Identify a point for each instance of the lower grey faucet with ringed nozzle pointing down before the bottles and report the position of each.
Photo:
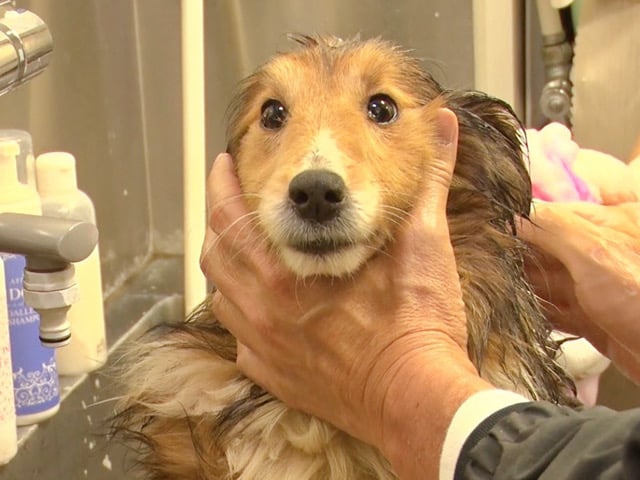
(50, 245)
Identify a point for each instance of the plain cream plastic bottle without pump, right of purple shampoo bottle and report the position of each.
(60, 196)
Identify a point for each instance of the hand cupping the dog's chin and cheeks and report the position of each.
(381, 354)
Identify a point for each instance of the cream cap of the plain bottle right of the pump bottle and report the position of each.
(56, 173)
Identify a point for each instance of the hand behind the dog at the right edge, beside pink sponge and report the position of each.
(587, 267)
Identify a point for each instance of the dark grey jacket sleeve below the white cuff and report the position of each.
(539, 440)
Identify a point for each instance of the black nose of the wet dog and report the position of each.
(317, 195)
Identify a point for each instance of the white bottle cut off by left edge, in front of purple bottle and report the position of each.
(8, 432)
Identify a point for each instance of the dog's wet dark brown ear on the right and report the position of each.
(491, 152)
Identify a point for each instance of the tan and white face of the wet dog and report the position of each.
(330, 144)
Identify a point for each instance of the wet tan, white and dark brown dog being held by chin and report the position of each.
(331, 142)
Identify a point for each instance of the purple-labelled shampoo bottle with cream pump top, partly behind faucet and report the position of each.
(35, 379)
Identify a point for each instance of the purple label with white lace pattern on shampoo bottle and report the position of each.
(35, 377)
